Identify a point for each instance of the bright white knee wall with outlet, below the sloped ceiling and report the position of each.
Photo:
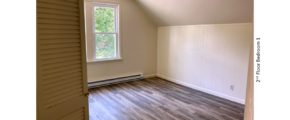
(209, 58)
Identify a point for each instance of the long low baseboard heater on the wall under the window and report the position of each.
(115, 80)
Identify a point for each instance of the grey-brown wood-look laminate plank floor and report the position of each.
(158, 99)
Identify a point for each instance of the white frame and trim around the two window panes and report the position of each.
(91, 34)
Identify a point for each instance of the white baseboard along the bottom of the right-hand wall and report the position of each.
(234, 99)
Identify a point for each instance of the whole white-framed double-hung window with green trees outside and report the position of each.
(103, 39)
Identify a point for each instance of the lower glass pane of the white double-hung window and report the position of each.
(105, 46)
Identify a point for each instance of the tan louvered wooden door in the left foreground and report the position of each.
(61, 61)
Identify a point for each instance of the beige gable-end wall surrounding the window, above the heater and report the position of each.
(138, 45)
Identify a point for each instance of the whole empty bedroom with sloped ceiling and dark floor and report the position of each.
(144, 59)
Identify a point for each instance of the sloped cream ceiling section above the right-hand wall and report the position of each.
(191, 12)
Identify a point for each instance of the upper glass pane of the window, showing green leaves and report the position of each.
(104, 19)
